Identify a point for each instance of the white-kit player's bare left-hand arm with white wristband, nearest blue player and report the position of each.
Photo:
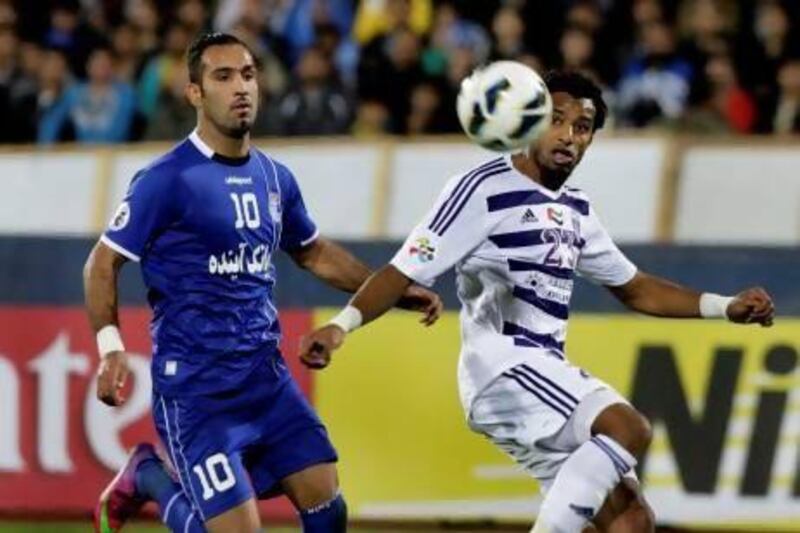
(382, 291)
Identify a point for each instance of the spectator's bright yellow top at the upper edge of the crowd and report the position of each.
(375, 18)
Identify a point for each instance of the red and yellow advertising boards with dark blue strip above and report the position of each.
(724, 399)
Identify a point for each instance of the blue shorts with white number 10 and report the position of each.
(233, 446)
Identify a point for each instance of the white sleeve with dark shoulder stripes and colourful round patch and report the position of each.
(455, 225)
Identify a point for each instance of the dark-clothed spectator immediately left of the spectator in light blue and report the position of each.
(52, 79)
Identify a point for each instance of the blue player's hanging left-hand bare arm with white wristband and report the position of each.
(100, 276)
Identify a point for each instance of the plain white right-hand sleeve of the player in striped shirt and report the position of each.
(600, 260)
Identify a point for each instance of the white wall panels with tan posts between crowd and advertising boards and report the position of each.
(646, 188)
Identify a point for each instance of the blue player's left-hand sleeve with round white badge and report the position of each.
(144, 212)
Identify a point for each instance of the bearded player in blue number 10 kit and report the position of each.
(205, 221)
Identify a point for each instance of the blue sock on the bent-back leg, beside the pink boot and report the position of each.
(176, 510)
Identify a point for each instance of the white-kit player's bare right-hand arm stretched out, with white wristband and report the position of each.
(656, 296)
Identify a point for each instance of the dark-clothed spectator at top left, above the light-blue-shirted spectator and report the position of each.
(68, 33)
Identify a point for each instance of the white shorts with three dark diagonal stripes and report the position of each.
(541, 411)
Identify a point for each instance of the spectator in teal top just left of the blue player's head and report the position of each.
(159, 72)
